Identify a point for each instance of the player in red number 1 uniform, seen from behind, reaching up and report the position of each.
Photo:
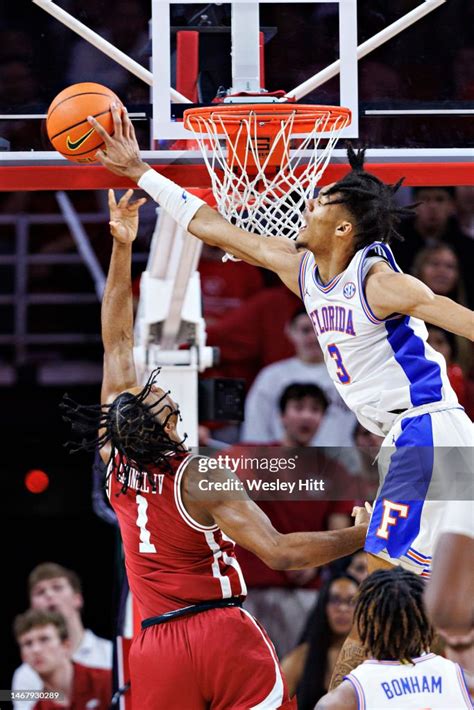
(198, 648)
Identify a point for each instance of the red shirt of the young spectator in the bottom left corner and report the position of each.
(91, 688)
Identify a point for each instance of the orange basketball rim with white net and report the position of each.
(265, 159)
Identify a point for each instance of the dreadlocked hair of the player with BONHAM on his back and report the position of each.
(390, 616)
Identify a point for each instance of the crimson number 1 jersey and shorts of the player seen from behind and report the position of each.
(184, 660)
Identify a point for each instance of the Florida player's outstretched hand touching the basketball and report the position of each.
(121, 154)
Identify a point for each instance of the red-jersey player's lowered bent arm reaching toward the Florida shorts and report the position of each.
(247, 525)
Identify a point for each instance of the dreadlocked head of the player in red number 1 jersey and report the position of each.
(138, 440)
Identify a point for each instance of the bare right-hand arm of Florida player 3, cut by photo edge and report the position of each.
(390, 292)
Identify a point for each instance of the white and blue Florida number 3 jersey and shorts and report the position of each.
(397, 386)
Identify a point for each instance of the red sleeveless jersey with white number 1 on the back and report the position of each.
(172, 561)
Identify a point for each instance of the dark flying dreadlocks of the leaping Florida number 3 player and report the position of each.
(370, 201)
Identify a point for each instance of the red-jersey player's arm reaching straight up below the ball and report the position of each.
(117, 302)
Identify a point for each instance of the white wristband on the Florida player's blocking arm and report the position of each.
(181, 205)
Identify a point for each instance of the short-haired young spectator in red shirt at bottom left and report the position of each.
(44, 645)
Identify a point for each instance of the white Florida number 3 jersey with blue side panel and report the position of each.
(379, 367)
